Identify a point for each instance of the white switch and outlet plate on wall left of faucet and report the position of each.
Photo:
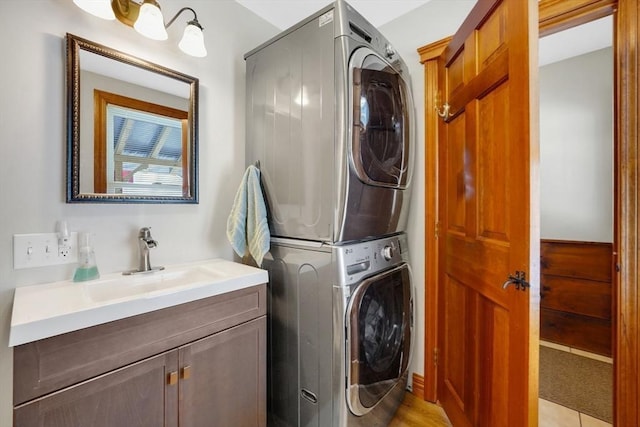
(41, 250)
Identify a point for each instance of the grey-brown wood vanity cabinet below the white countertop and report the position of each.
(204, 376)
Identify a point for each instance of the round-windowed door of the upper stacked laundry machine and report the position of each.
(381, 112)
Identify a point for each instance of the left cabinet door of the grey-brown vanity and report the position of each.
(134, 396)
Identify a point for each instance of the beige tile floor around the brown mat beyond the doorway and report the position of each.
(553, 415)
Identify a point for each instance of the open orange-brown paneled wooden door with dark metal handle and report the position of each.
(488, 151)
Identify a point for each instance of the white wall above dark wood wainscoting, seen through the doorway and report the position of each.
(576, 148)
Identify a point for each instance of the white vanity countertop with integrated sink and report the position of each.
(42, 311)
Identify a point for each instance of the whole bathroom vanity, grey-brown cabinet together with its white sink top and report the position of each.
(192, 354)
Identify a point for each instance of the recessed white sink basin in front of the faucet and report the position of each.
(148, 285)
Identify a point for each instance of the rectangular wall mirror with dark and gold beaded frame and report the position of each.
(132, 128)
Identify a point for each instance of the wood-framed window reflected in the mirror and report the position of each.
(140, 148)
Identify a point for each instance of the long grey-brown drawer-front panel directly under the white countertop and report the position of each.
(50, 364)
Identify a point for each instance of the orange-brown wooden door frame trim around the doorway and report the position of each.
(554, 16)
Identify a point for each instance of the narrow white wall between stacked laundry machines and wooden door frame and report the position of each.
(429, 23)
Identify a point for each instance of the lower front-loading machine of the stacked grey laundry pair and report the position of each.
(340, 332)
